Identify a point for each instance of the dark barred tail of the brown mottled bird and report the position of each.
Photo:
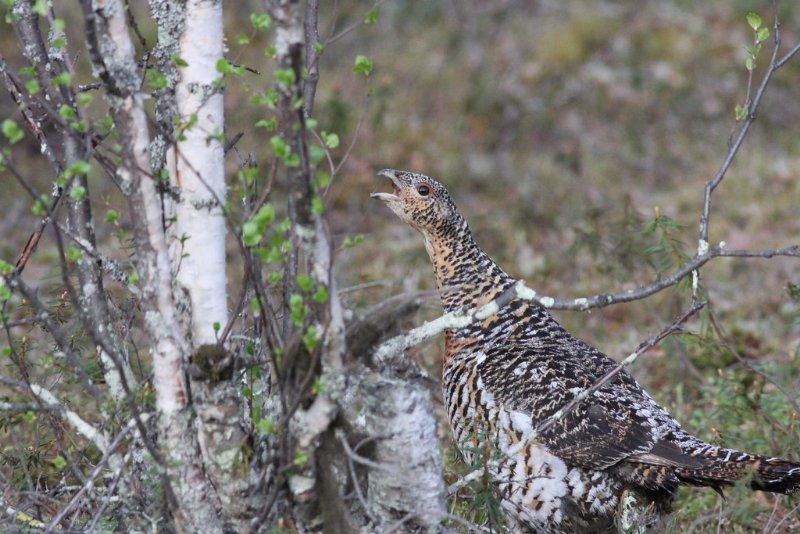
(724, 467)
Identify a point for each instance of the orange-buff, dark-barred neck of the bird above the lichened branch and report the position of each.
(466, 276)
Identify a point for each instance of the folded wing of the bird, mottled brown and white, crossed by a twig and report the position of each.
(537, 379)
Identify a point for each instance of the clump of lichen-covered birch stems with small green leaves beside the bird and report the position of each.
(240, 414)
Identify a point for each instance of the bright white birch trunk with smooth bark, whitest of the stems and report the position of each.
(197, 169)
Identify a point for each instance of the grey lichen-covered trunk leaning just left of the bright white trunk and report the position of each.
(113, 58)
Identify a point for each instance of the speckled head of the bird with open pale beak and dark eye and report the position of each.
(421, 202)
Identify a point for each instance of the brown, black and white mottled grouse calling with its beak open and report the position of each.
(504, 376)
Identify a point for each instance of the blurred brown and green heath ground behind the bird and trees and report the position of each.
(576, 137)
